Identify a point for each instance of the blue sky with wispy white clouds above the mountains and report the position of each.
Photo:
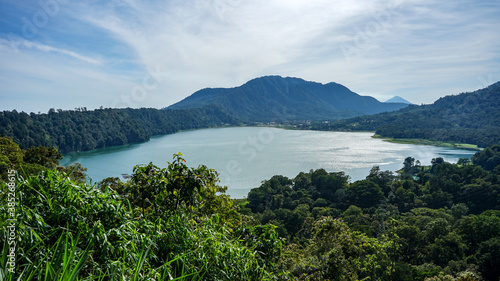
(126, 53)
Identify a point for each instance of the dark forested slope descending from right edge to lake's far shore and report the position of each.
(472, 118)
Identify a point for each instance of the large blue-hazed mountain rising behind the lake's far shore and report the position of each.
(274, 98)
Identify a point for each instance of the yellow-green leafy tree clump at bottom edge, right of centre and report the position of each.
(337, 253)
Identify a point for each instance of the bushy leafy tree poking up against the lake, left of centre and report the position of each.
(159, 192)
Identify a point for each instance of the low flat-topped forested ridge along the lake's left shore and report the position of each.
(83, 130)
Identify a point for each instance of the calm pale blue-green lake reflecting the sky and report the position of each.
(245, 156)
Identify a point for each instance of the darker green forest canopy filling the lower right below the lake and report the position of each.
(427, 220)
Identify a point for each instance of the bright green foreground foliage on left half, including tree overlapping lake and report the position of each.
(66, 230)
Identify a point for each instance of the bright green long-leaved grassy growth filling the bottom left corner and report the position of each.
(74, 231)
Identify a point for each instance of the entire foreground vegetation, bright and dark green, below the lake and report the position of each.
(437, 222)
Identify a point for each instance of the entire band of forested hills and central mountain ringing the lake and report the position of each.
(472, 118)
